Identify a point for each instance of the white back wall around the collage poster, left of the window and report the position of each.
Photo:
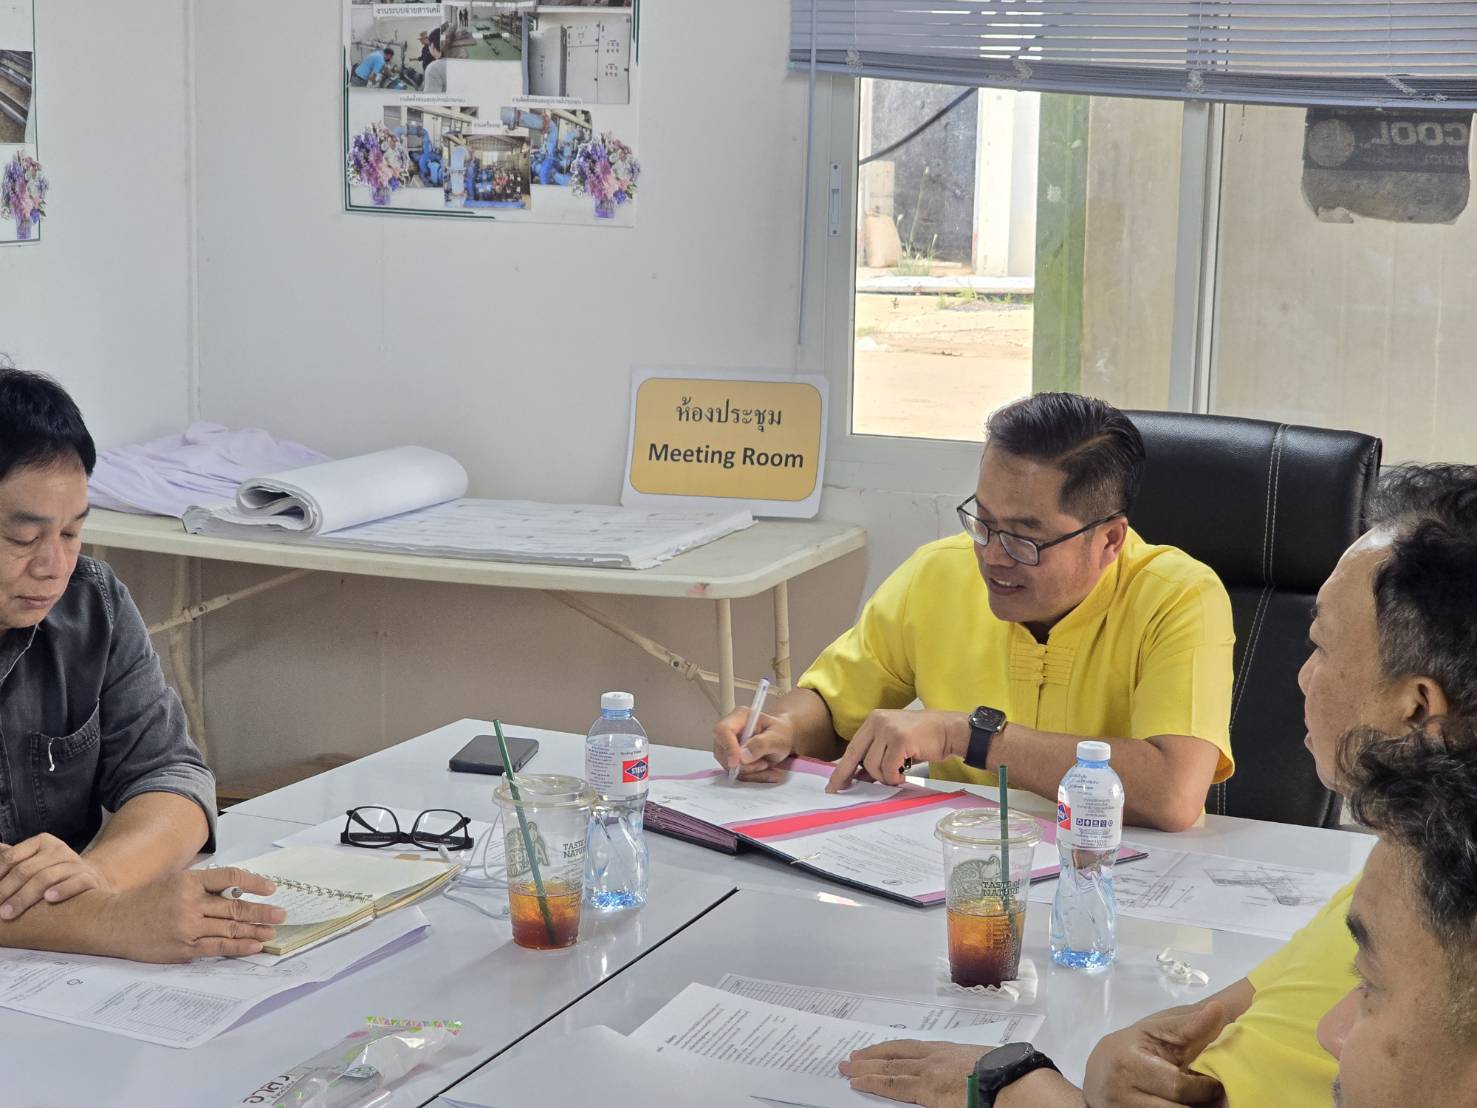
(510, 346)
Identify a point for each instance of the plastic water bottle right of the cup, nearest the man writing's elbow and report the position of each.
(1089, 828)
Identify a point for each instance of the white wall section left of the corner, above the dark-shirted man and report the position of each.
(104, 301)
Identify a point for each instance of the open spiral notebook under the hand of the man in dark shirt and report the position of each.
(327, 892)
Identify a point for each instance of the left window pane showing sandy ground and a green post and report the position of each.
(1010, 243)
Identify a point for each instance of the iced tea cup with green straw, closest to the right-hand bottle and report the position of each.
(987, 895)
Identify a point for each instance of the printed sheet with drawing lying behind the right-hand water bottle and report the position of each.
(1221, 893)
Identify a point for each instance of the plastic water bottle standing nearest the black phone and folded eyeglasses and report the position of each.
(617, 767)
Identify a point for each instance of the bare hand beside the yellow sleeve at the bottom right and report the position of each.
(1147, 1063)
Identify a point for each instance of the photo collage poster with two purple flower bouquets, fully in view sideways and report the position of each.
(512, 110)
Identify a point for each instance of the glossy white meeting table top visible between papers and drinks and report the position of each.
(784, 924)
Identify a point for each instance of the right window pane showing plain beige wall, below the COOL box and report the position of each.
(1337, 318)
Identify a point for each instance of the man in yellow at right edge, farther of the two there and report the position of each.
(1394, 643)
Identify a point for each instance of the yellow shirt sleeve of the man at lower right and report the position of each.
(1271, 1054)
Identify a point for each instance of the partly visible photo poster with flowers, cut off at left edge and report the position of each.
(23, 185)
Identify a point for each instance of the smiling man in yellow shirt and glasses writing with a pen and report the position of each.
(1046, 623)
